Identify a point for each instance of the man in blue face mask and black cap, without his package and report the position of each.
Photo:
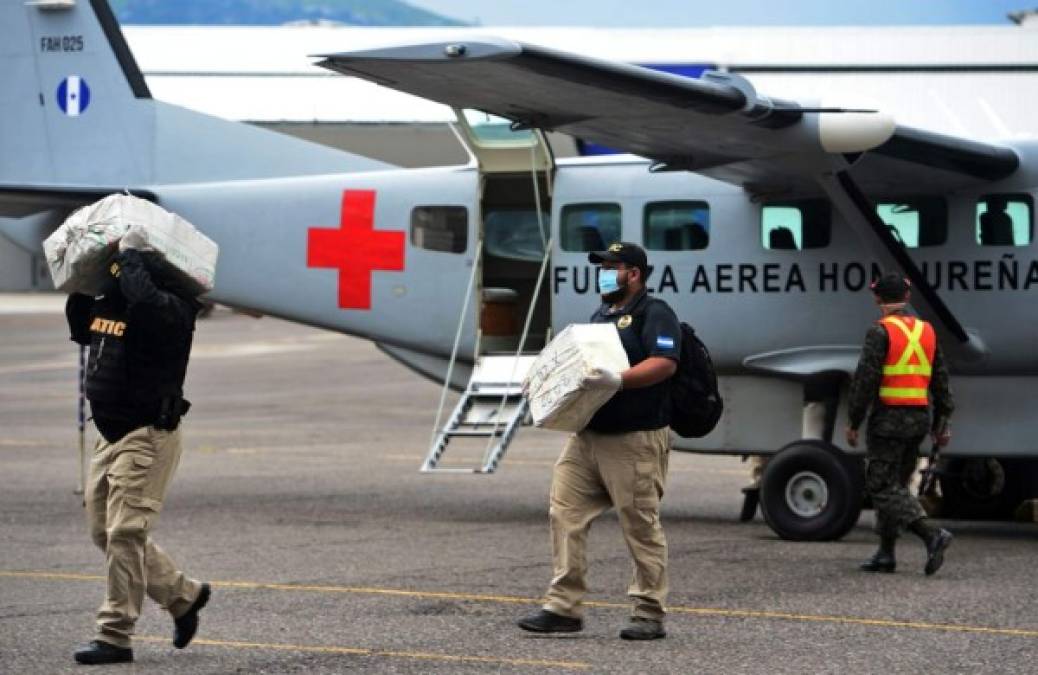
(620, 460)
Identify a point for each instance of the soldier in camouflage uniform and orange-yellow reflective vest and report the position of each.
(898, 426)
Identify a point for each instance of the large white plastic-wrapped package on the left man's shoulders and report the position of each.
(80, 251)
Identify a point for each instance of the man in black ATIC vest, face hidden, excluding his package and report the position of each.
(140, 332)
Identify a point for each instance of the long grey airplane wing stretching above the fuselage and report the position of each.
(718, 126)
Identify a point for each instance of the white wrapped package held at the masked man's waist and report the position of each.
(561, 396)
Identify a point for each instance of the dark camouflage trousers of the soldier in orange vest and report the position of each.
(892, 463)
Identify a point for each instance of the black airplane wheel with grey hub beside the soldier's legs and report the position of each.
(812, 492)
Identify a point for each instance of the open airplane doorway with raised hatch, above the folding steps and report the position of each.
(516, 172)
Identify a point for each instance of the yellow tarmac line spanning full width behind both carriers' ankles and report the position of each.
(513, 600)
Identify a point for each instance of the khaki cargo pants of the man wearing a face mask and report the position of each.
(594, 473)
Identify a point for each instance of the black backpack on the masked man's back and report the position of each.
(696, 403)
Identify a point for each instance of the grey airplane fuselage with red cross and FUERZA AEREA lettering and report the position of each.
(773, 317)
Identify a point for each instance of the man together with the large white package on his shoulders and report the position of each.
(136, 312)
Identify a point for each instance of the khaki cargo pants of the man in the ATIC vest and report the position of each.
(124, 496)
